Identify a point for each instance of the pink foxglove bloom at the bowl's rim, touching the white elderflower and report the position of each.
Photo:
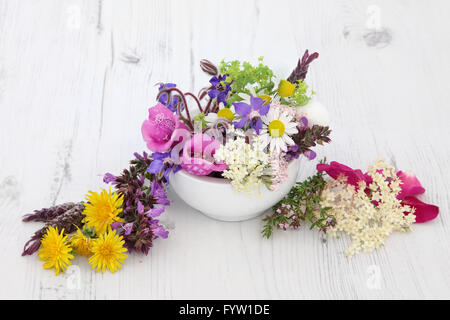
(198, 155)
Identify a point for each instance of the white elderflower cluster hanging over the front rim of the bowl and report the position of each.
(247, 162)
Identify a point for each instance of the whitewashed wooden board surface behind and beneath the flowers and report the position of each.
(76, 78)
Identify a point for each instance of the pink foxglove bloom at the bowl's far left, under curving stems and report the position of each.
(163, 129)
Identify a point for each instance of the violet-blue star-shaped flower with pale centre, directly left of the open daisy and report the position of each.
(251, 113)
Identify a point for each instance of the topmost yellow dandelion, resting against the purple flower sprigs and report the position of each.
(102, 209)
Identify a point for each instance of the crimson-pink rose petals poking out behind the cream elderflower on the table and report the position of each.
(410, 188)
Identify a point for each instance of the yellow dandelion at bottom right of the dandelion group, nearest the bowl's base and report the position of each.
(108, 252)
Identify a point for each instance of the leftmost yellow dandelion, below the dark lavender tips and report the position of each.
(55, 250)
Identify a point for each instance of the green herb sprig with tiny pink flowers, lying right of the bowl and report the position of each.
(302, 204)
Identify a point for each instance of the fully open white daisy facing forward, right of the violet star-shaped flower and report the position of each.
(278, 126)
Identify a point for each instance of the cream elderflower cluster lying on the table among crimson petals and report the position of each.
(371, 213)
